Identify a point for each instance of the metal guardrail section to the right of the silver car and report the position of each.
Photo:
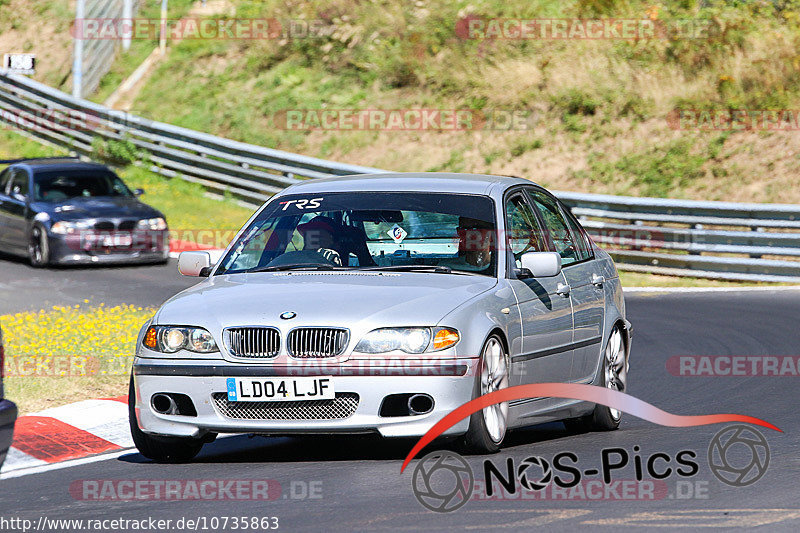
(753, 242)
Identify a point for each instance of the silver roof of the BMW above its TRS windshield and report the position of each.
(407, 181)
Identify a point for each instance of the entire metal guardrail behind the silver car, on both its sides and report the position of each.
(754, 242)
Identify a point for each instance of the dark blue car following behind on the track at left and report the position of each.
(66, 211)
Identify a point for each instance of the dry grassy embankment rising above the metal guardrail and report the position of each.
(601, 105)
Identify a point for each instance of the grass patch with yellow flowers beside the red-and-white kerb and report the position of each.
(64, 354)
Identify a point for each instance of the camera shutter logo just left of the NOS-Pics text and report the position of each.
(442, 481)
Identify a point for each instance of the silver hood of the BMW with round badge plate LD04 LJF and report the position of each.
(356, 300)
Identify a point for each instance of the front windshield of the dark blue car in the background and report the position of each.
(60, 185)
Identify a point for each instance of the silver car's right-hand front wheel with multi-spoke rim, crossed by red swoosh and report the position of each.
(487, 427)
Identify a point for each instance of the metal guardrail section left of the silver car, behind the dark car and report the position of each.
(250, 172)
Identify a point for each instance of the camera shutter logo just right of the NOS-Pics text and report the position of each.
(738, 455)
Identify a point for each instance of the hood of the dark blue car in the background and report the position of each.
(98, 207)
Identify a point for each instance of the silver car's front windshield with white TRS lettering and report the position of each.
(414, 231)
